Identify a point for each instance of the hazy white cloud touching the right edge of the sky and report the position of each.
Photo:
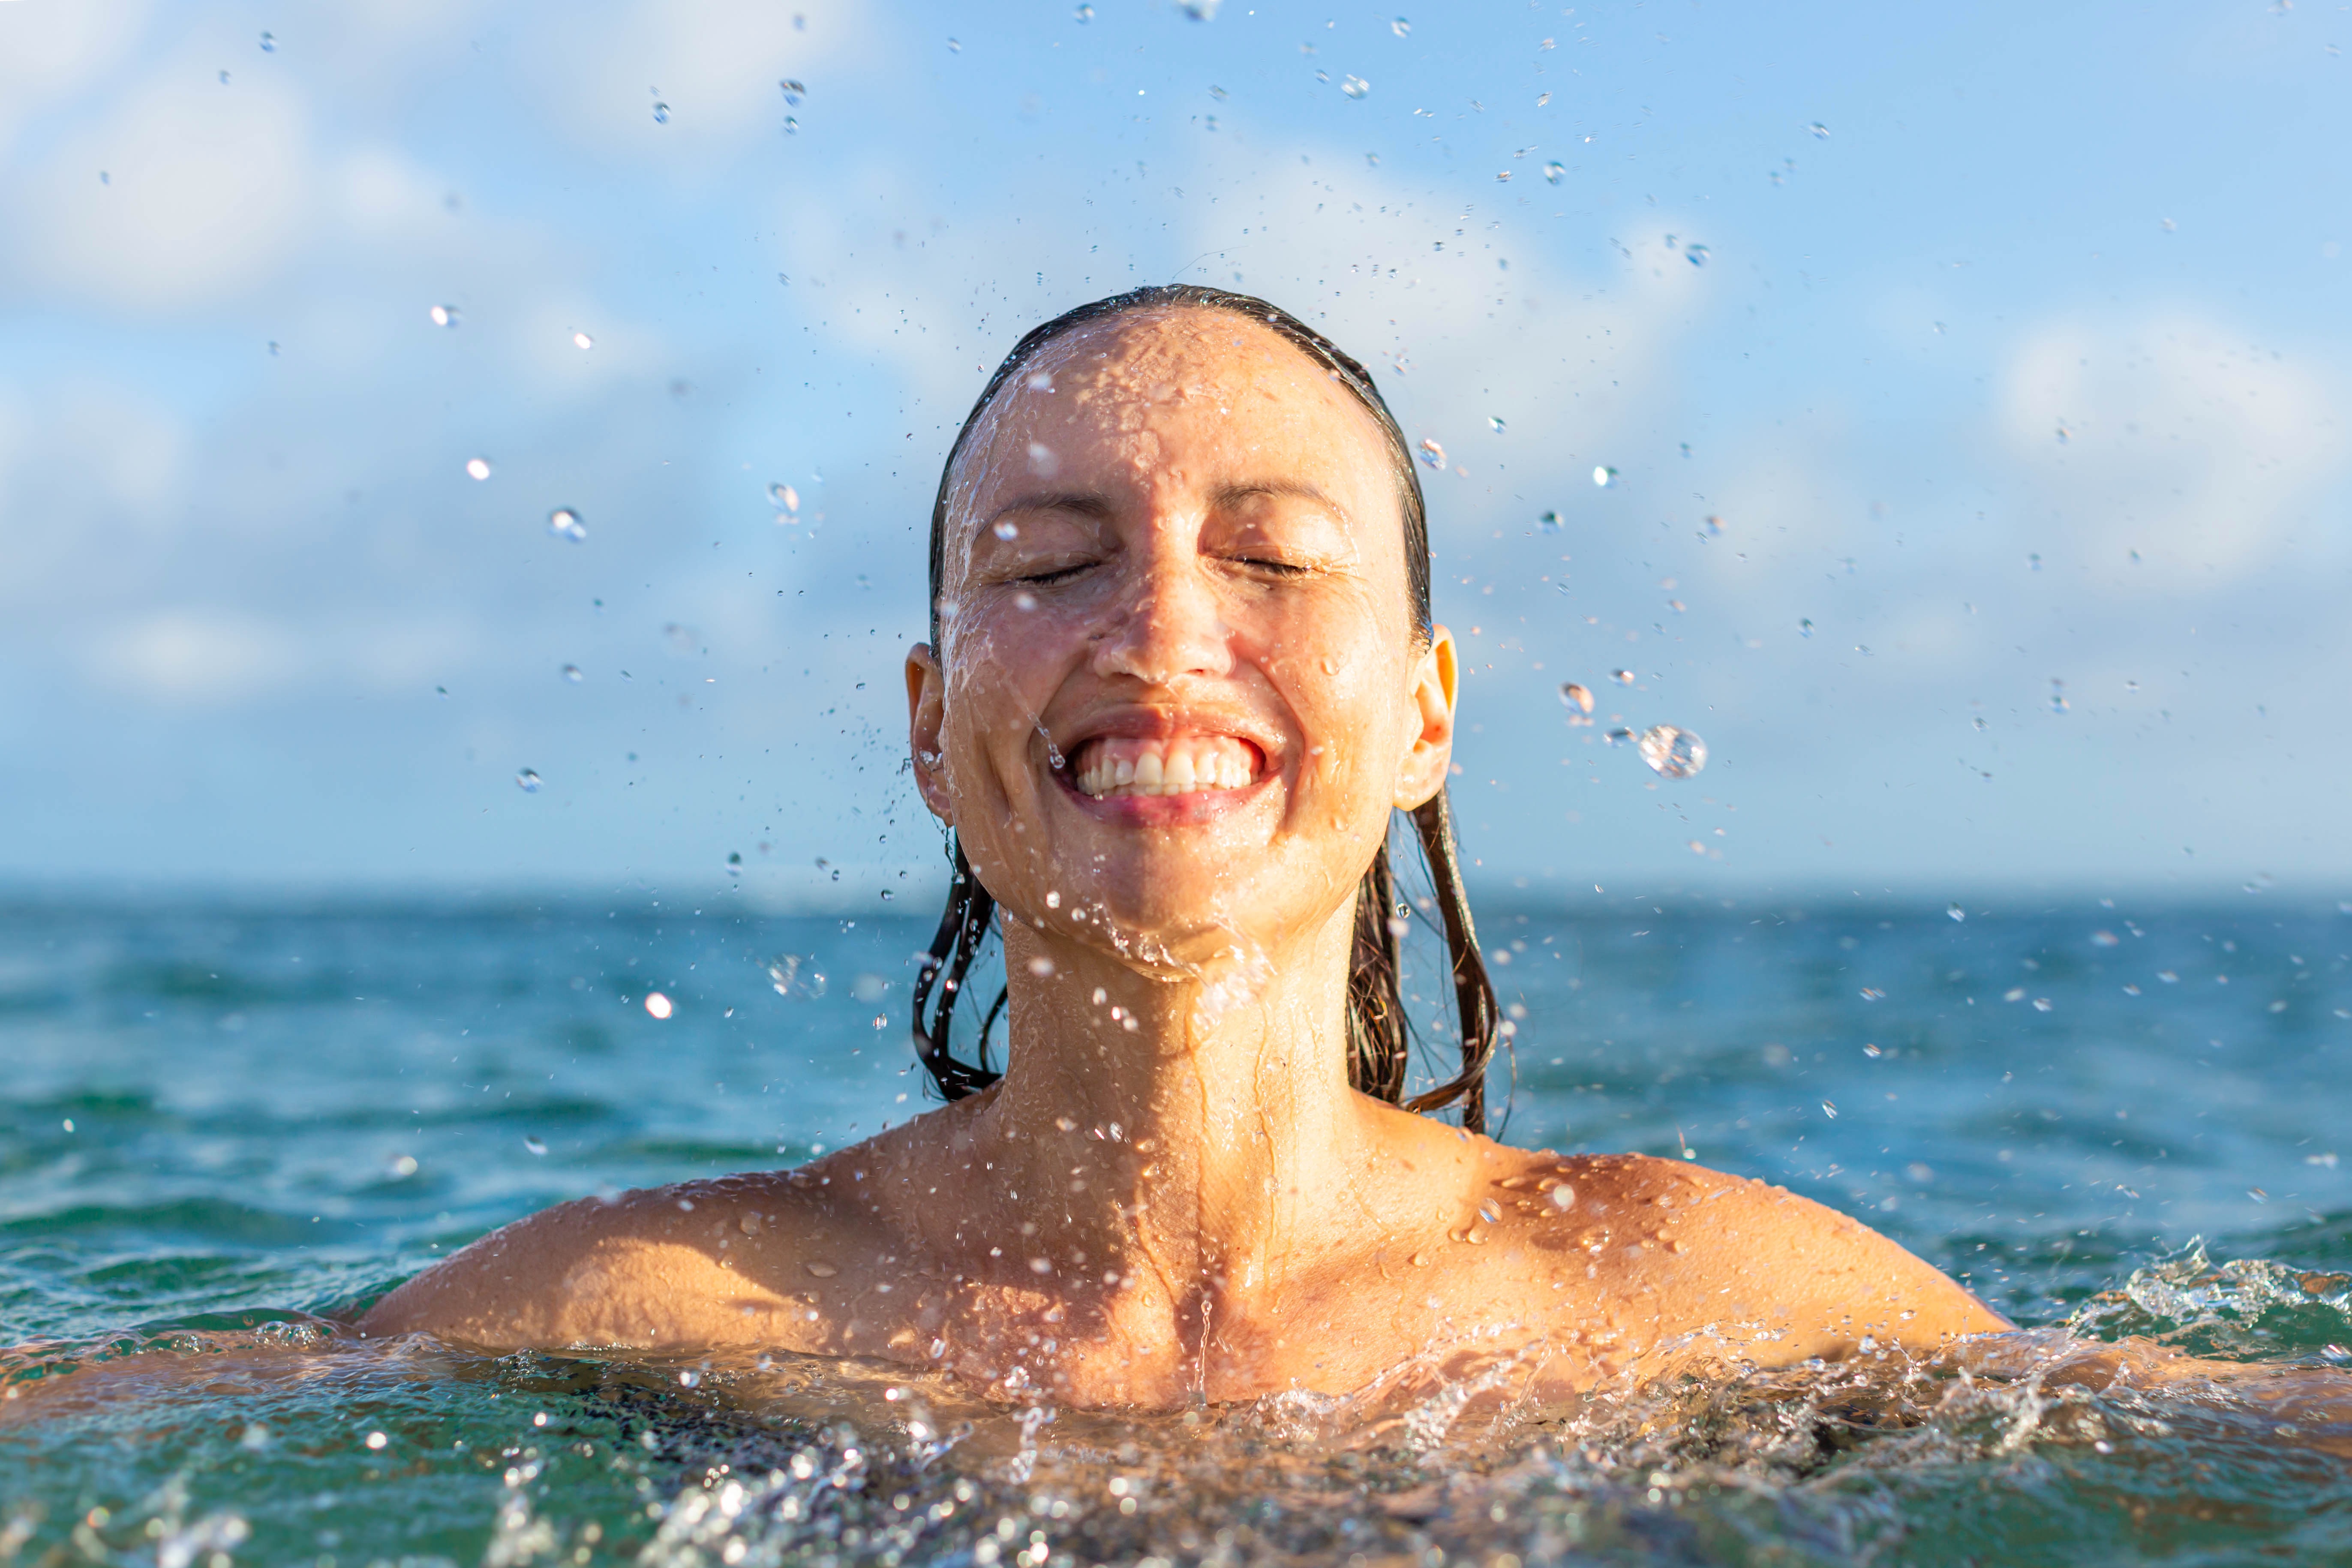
(2172, 438)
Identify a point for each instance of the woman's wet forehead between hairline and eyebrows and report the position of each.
(1210, 377)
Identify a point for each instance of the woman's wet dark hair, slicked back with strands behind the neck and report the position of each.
(1379, 1033)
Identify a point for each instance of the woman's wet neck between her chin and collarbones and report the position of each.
(1182, 1132)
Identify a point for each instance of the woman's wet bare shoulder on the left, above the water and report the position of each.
(700, 1264)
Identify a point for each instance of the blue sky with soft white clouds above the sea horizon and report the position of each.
(2005, 347)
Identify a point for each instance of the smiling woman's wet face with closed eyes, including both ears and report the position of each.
(1180, 688)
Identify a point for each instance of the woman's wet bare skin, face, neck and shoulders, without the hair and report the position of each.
(1175, 556)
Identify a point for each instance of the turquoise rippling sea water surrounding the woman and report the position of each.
(225, 1125)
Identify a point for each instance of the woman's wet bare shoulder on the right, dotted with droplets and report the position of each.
(1673, 1249)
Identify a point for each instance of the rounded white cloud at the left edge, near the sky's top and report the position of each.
(203, 194)
